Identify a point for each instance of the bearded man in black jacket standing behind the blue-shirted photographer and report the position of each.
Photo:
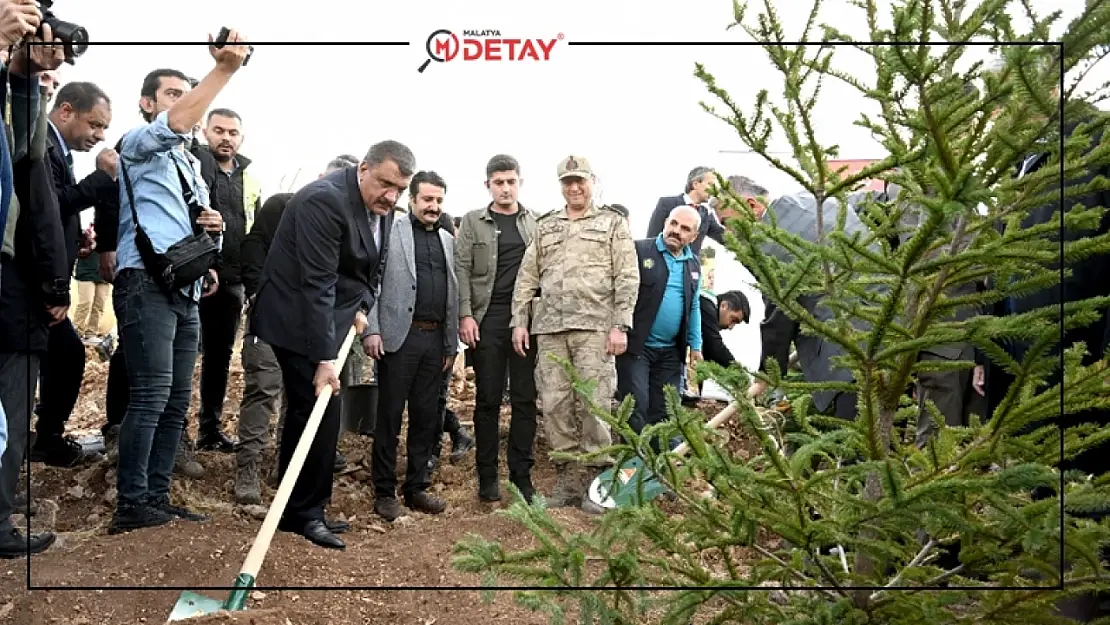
(238, 196)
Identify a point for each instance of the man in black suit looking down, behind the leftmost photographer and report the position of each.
(80, 117)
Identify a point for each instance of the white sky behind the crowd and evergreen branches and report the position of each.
(633, 112)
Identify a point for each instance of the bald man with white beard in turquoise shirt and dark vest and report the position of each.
(668, 319)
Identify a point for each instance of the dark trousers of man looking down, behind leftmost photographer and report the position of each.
(62, 372)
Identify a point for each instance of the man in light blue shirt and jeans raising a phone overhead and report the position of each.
(166, 263)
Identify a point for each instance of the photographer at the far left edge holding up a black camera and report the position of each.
(35, 285)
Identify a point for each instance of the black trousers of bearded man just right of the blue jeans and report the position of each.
(220, 316)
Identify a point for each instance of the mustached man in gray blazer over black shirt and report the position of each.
(415, 337)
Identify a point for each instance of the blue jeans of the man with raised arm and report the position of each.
(160, 336)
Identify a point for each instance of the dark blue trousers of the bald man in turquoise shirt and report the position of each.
(645, 377)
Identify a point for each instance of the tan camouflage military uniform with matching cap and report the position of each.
(579, 280)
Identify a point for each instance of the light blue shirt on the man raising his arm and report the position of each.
(152, 153)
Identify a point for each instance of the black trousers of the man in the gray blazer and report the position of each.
(415, 376)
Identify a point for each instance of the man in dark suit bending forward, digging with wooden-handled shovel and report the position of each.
(322, 271)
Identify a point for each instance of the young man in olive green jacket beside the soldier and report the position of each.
(489, 249)
